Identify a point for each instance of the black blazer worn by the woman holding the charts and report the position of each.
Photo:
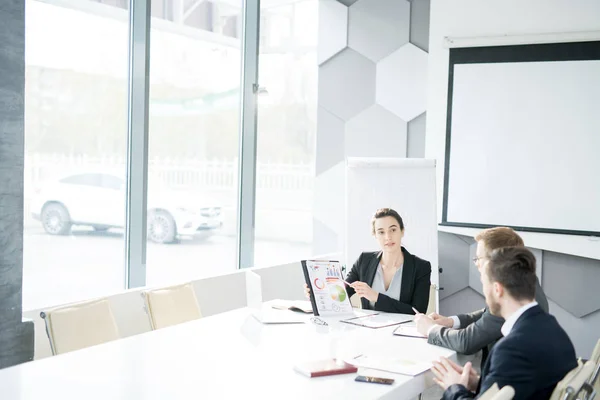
(414, 290)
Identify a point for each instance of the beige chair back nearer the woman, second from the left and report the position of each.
(171, 305)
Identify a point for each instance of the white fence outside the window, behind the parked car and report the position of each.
(284, 195)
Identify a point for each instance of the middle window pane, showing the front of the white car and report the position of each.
(195, 61)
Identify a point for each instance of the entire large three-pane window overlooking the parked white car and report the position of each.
(76, 143)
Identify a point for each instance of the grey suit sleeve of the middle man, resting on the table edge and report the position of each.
(469, 340)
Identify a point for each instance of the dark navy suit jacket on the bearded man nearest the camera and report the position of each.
(533, 358)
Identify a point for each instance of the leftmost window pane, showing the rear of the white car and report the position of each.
(75, 122)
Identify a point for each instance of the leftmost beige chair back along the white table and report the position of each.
(80, 325)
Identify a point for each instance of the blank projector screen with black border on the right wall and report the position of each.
(523, 138)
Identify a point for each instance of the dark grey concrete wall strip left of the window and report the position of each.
(16, 336)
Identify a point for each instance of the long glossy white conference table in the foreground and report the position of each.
(225, 356)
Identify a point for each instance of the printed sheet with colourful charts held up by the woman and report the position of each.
(327, 288)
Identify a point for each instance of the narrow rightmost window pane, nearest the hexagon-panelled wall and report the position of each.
(286, 131)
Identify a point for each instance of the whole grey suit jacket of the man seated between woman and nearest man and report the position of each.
(479, 330)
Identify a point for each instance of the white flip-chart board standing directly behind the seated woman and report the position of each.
(405, 184)
